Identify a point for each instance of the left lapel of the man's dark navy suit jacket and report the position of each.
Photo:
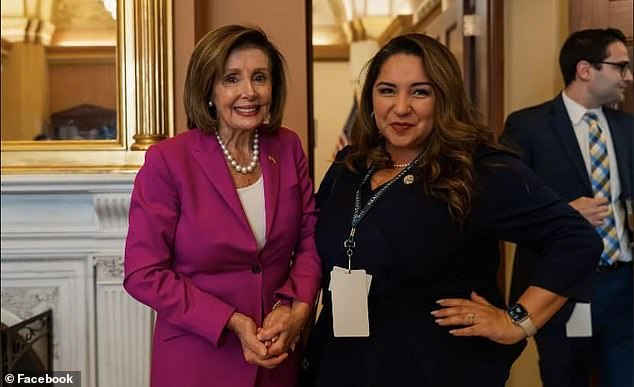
(560, 123)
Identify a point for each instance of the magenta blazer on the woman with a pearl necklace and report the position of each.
(191, 256)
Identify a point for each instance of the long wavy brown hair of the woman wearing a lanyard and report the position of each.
(446, 169)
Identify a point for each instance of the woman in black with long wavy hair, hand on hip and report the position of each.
(410, 219)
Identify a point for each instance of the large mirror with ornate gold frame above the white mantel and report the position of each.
(81, 80)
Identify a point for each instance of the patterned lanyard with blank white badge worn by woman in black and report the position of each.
(349, 288)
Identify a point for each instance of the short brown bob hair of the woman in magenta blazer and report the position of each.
(206, 67)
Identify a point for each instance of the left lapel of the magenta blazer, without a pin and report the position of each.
(209, 156)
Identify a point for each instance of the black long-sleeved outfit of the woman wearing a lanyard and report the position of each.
(417, 254)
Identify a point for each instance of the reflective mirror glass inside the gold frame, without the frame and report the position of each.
(61, 86)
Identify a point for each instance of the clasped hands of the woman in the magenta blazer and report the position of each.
(269, 345)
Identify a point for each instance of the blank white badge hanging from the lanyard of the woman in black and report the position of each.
(349, 293)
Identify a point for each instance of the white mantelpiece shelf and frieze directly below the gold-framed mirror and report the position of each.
(75, 214)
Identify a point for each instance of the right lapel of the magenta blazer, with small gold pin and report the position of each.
(270, 165)
